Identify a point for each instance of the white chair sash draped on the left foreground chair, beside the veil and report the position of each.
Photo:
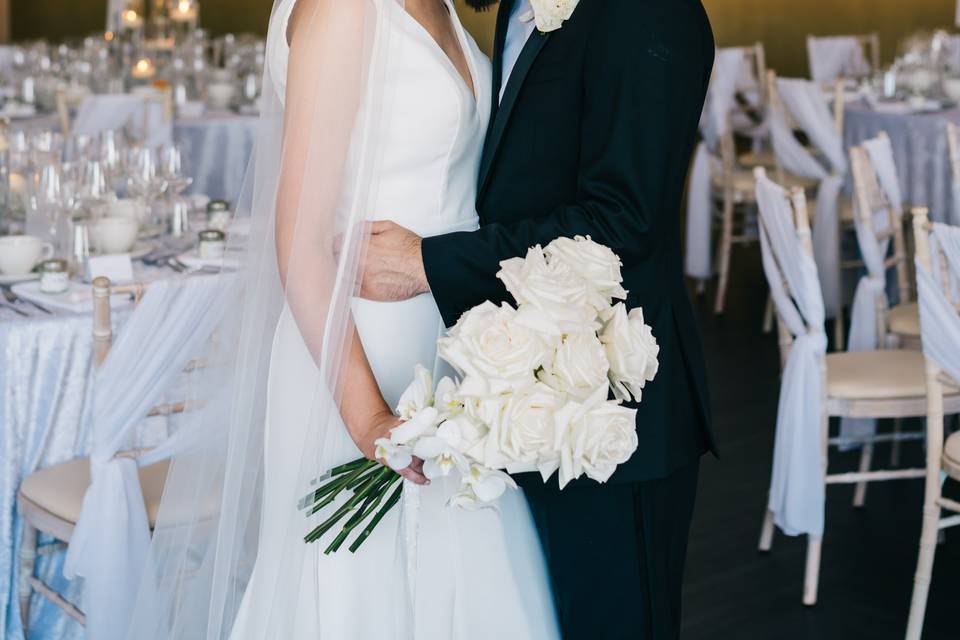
(110, 541)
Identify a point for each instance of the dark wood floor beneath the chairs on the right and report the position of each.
(732, 592)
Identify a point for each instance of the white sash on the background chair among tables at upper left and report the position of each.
(105, 112)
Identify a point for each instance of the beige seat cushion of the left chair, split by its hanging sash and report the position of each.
(60, 489)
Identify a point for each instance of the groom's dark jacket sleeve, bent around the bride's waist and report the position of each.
(644, 61)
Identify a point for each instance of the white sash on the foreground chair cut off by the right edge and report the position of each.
(939, 319)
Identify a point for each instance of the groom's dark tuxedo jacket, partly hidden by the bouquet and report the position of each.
(594, 137)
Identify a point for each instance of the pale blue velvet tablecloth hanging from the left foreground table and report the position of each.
(45, 395)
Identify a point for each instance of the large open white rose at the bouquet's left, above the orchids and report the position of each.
(493, 351)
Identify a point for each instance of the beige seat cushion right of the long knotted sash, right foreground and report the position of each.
(877, 375)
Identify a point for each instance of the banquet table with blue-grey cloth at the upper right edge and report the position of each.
(920, 148)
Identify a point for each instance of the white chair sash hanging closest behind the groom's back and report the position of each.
(713, 125)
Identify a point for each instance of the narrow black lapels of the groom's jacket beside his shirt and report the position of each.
(503, 108)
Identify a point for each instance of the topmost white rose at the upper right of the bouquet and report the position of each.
(595, 263)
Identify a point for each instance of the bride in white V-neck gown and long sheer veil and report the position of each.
(371, 110)
